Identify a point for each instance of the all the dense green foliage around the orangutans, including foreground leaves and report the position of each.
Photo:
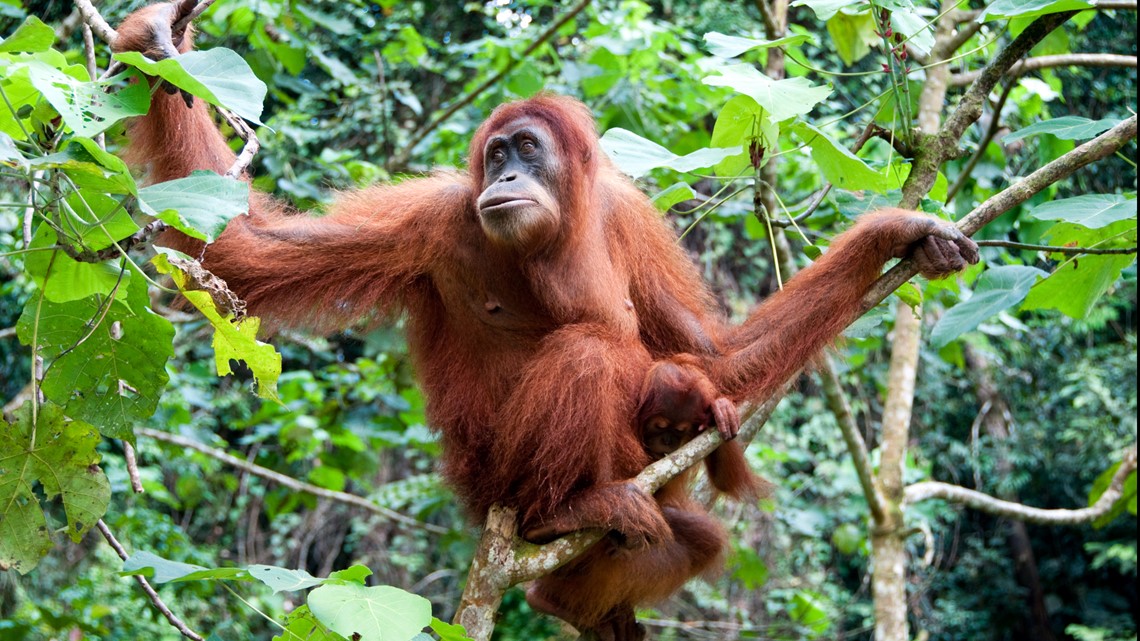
(351, 90)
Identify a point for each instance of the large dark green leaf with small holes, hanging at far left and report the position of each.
(110, 360)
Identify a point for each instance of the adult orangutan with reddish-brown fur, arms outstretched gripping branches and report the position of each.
(541, 288)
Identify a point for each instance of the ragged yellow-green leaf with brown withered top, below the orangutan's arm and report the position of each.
(233, 339)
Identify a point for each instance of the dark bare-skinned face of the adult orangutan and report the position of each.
(518, 207)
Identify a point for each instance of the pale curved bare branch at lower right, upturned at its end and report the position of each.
(982, 502)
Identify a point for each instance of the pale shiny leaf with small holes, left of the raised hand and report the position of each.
(86, 107)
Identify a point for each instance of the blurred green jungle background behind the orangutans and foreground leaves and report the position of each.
(1033, 402)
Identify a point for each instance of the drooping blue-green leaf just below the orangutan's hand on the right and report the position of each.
(997, 289)
